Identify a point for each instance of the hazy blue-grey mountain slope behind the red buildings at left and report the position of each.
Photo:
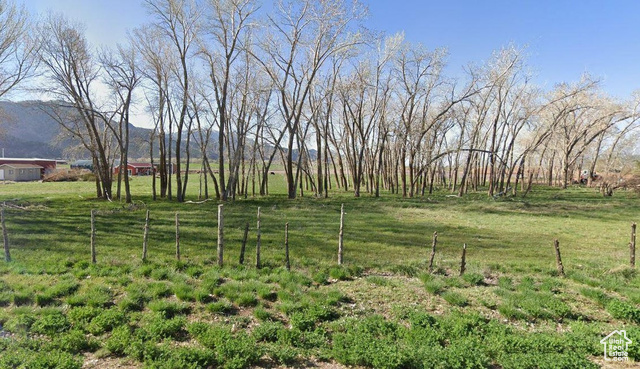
(27, 130)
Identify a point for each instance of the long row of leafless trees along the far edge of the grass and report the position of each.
(304, 83)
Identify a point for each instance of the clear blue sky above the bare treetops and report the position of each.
(564, 38)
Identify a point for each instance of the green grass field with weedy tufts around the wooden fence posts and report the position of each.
(382, 309)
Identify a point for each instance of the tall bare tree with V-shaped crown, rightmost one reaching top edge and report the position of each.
(305, 34)
